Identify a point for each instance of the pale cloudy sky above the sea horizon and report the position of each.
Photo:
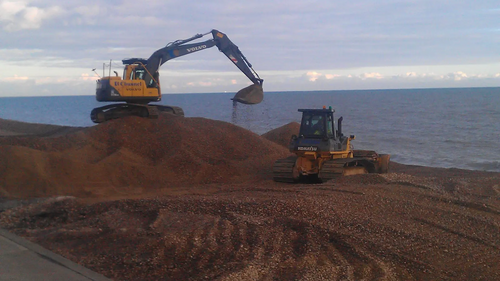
(50, 47)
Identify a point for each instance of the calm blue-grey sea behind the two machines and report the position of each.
(449, 128)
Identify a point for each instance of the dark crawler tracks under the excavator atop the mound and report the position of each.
(115, 111)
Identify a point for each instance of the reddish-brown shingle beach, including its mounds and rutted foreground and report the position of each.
(192, 199)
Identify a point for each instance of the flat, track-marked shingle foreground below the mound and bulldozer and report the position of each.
(274, 232)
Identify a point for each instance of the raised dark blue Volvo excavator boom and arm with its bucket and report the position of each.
(252, 94)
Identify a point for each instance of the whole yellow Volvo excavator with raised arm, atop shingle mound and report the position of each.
(140, 83)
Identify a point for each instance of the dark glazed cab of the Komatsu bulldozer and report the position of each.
(317, 123)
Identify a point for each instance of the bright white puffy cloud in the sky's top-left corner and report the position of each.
(19, 15)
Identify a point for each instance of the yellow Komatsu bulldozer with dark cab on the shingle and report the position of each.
(322, 152)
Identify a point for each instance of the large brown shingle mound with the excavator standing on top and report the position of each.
(132, 155)
